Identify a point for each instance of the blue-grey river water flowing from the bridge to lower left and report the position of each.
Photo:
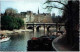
(18, 42)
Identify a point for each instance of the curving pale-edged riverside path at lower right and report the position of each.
(59, 44)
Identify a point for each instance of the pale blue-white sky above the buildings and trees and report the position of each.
(26, 5)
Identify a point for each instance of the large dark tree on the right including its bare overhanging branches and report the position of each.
(71, 19)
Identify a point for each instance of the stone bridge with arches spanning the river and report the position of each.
(46, 26)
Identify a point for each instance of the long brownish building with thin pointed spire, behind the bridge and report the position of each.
(43, 17)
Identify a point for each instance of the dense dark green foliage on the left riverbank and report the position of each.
(10, 23)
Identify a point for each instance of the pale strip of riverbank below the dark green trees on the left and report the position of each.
(14, 31)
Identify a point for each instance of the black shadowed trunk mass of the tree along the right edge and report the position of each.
(72, 23)
